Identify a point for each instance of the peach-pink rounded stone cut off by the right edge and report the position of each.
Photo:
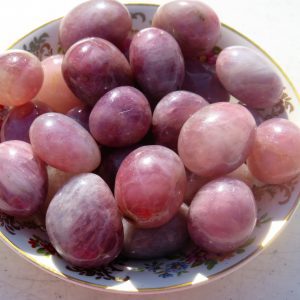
(275, 156)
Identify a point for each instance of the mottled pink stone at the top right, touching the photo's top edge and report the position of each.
(194, 25)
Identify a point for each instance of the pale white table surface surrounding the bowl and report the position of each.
(272, 275)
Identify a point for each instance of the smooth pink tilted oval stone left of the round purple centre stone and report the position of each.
(64, 144)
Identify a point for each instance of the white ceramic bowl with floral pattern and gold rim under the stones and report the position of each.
(276, 203)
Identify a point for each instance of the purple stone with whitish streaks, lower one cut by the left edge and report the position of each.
(23, 179)
